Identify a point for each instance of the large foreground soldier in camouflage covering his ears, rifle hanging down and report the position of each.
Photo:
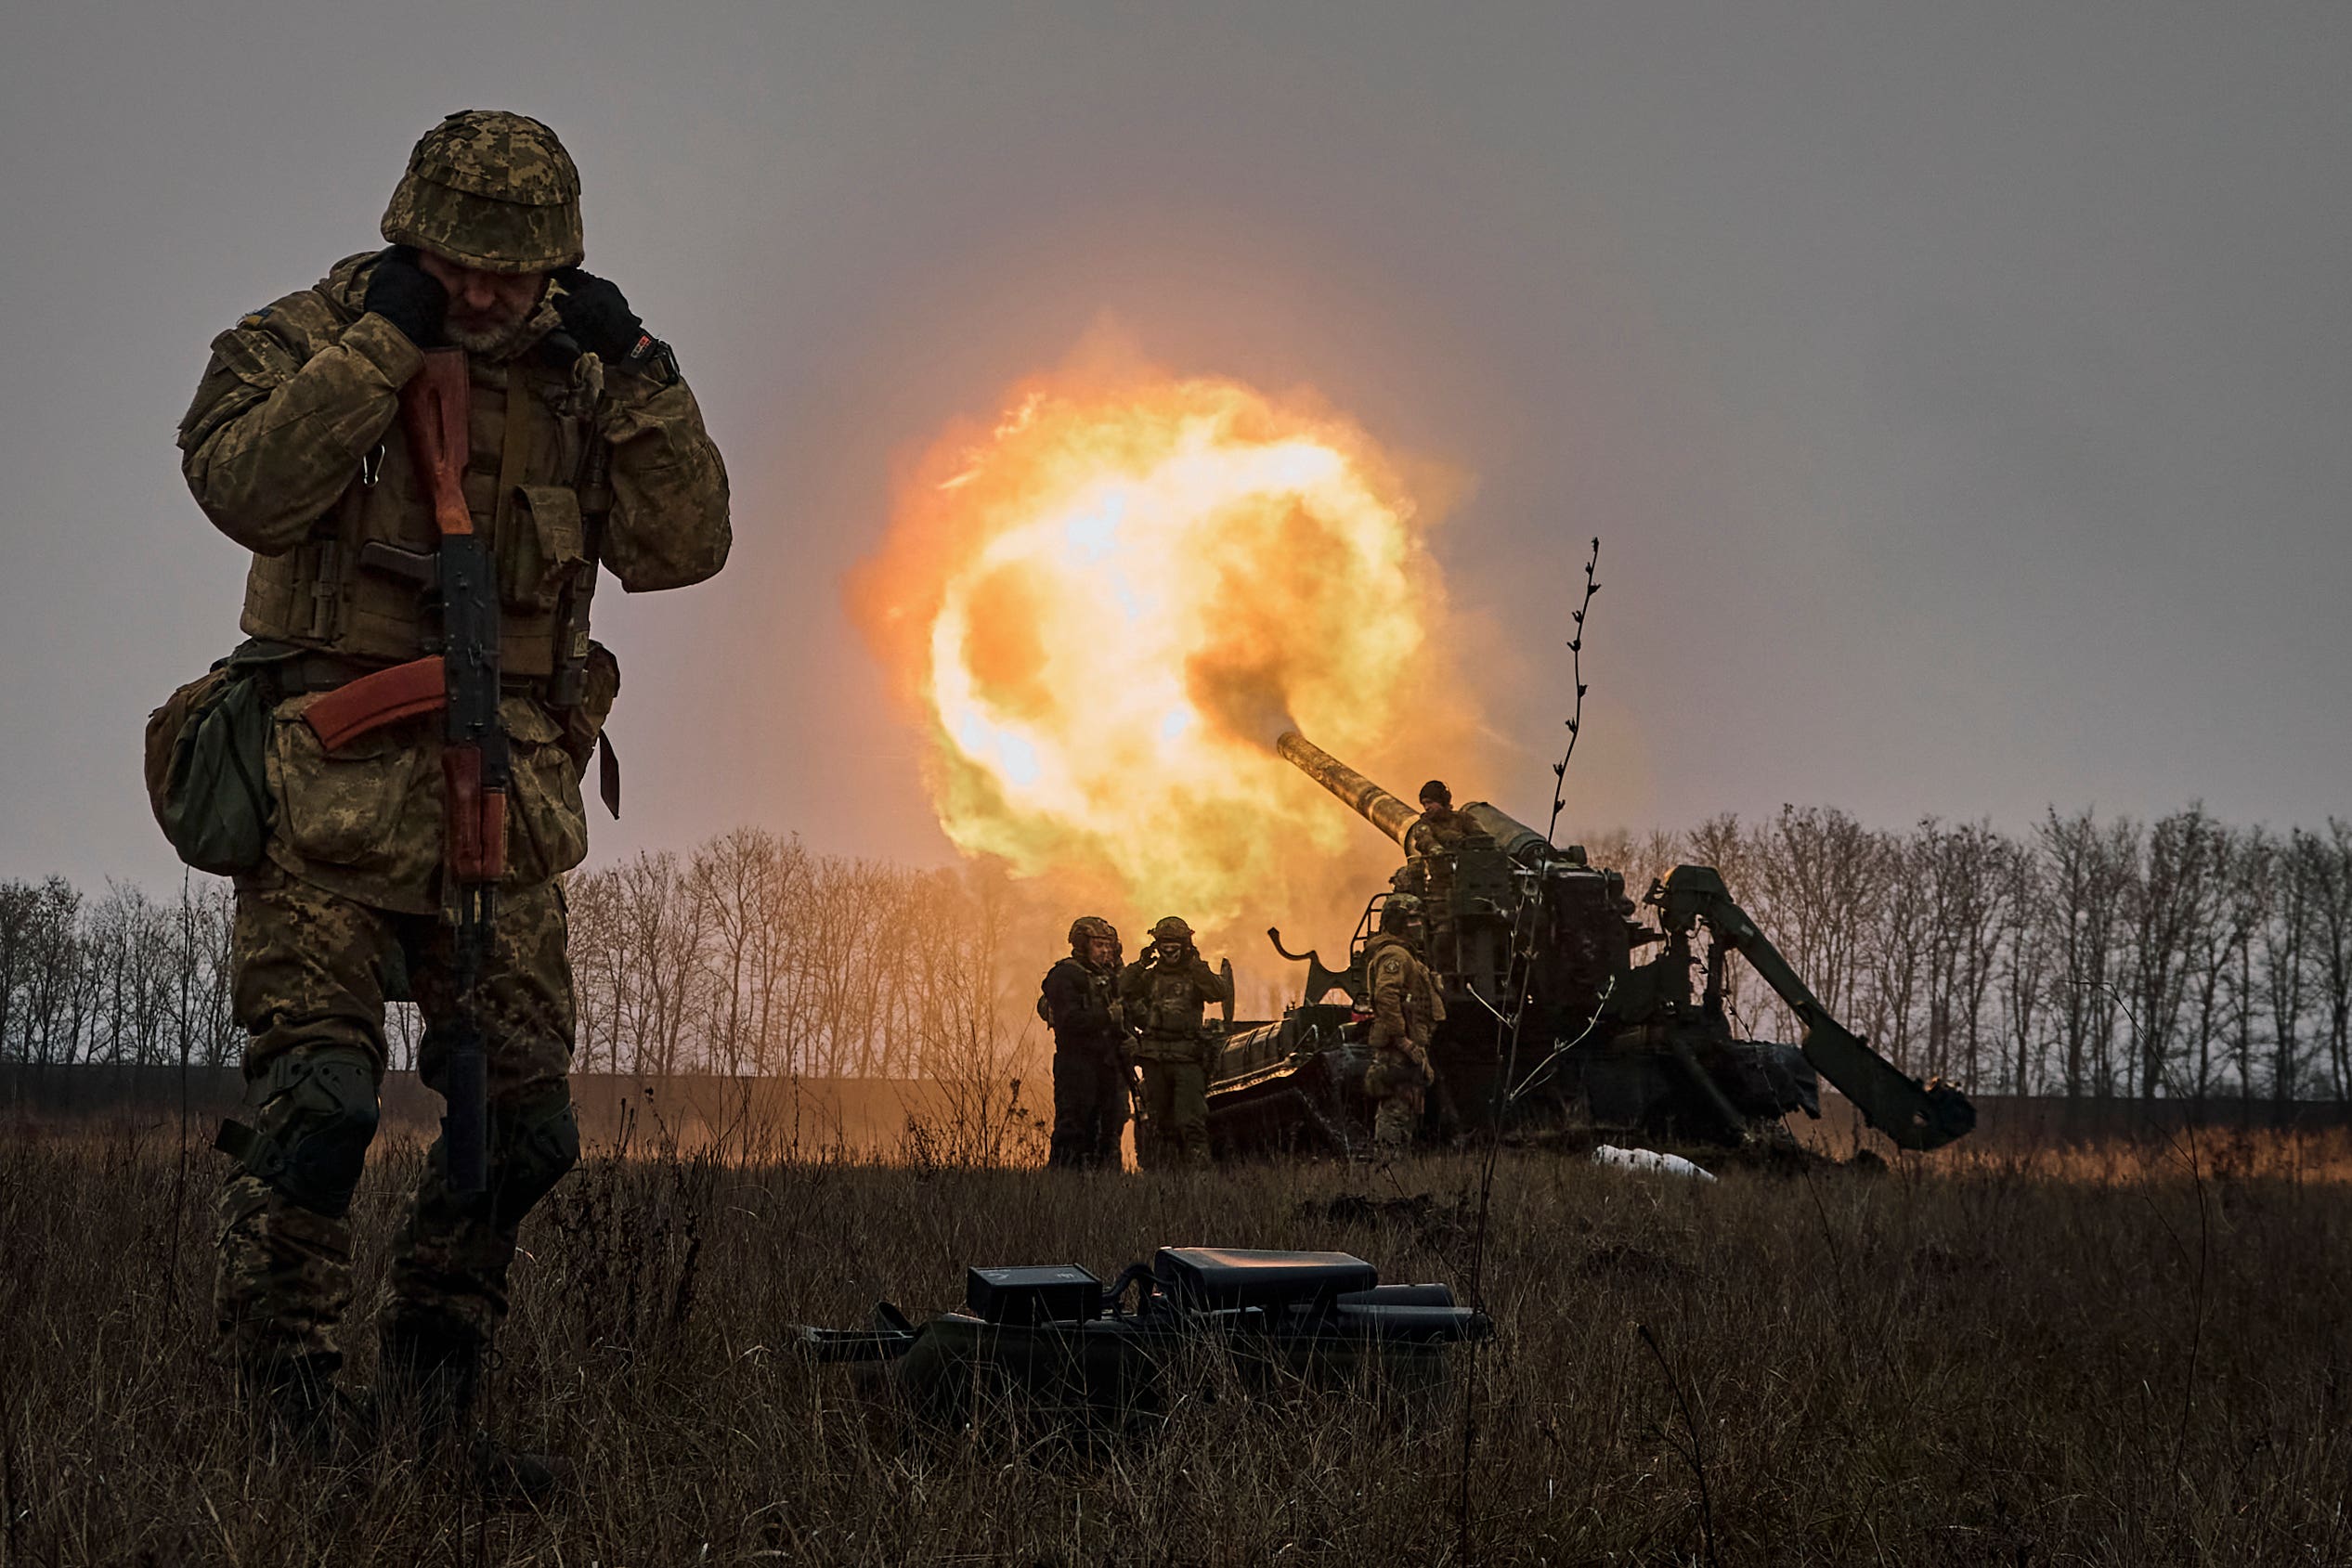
(429, 455)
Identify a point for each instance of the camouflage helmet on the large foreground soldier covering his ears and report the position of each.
(490, 192)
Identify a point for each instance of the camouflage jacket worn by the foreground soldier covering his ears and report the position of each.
(293, 448)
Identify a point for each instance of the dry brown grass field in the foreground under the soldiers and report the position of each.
(2130, 1355)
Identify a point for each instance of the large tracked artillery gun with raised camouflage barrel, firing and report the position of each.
(1608, 1040)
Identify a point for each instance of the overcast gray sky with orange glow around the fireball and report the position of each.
(1963, 394)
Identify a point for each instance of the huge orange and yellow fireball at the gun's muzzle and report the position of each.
(1111, 603)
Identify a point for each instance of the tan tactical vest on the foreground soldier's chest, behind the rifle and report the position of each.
(528, 455)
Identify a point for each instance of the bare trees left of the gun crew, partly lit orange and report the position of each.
(749, 956)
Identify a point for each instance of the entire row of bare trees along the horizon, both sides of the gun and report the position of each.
(2094, 958)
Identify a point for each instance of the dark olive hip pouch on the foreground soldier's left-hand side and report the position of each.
(208, 768)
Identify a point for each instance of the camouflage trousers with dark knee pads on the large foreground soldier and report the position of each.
(312, 974)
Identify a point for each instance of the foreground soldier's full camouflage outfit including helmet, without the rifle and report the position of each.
(293, 448)
